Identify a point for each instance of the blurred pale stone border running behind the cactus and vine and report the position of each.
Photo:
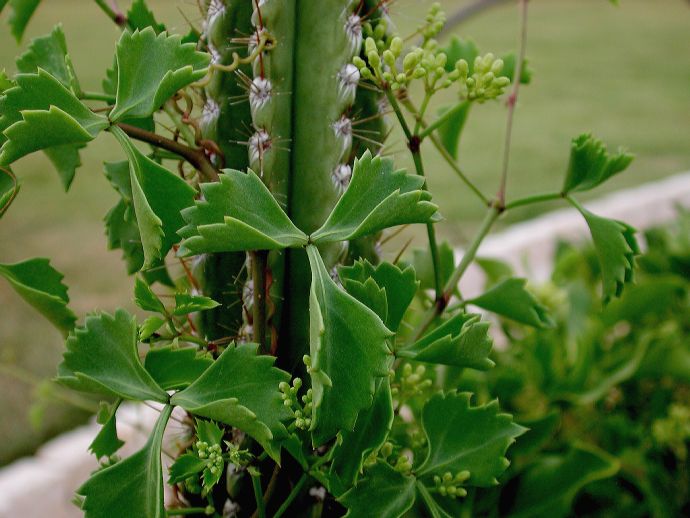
(43, 485)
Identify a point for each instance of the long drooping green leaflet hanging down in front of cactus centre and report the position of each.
(348, 348)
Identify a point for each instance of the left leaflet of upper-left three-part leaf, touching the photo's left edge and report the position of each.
(41, 113)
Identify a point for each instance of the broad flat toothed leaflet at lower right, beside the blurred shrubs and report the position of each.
(464, 437)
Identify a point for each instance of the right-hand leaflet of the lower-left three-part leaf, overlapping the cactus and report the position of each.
(241, 389)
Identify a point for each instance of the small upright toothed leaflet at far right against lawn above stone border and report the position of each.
(591, 164)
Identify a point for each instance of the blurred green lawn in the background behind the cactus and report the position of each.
(622, 73)
